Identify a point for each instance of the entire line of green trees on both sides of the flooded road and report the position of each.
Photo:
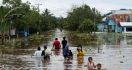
(15, 14)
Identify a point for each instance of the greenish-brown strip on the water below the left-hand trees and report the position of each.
(28, 42)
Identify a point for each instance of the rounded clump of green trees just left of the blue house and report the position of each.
(83, 19)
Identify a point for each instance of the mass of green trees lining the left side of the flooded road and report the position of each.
(24, 18)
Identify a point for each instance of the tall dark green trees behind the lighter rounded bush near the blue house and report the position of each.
(77, 16)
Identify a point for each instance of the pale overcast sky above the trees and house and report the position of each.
(61, 7)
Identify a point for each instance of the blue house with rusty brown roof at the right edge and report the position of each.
(119, 21)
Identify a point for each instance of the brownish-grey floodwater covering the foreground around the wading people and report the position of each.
(111, 50)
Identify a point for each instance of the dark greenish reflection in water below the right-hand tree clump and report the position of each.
(82, 38)
